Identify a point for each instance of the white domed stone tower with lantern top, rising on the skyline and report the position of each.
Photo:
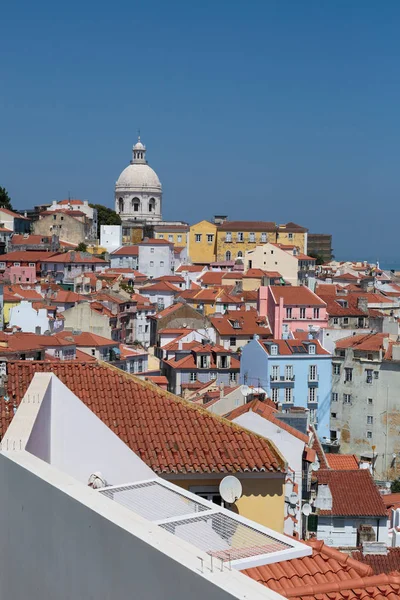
(138, 191)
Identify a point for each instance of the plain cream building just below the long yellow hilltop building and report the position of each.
(270, 257)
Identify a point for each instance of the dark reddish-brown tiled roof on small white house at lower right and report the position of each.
(354, 493)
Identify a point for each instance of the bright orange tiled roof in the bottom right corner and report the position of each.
(327, 574)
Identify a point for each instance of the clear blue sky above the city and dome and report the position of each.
(270, 109)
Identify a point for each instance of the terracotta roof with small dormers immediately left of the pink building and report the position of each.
(249, 321)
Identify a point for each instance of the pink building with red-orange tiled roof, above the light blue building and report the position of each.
(290, 308)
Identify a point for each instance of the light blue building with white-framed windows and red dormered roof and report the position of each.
(293, 373)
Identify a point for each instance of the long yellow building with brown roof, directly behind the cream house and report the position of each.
(235, 238)
